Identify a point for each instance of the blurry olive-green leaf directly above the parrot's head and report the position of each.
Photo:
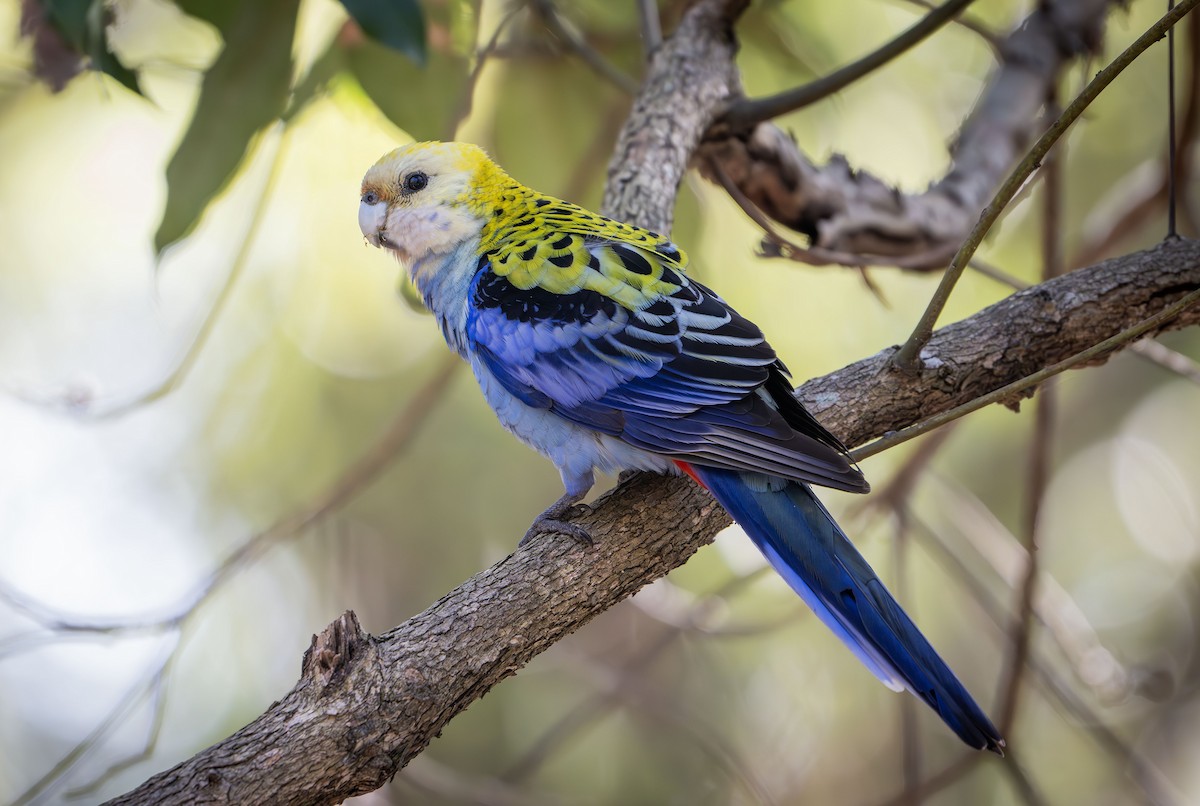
(422, 103)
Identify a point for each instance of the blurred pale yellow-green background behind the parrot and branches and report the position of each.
(208, 455)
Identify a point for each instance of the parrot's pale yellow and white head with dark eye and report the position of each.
(428, 199)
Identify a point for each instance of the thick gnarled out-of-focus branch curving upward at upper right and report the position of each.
(849, 213)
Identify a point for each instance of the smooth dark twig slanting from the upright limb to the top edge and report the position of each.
(745, 115)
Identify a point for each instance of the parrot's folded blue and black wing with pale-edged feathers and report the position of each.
(681, 375)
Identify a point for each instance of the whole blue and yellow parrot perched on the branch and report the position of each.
(596, 348)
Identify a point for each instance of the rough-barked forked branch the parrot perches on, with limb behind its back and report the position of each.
(367, 706)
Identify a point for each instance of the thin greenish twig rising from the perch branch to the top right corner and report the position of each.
(908, 358)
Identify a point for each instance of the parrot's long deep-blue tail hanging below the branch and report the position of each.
(812, 552)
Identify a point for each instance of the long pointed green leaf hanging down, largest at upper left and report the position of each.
(244, 91)
